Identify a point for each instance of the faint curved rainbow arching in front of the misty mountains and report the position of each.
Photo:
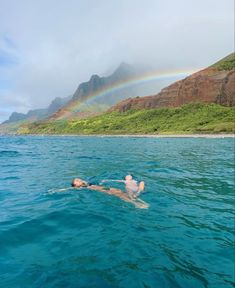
(129, 82)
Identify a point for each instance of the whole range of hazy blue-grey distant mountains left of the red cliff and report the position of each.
(84, 100)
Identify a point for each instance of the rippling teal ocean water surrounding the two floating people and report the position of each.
(82, 238)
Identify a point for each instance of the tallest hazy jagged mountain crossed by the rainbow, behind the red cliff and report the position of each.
(100, 93)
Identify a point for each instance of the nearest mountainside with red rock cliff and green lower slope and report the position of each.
(201, 103)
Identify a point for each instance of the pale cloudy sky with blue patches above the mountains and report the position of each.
(48, 47)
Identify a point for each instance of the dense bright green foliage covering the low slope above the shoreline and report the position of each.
(191, 118)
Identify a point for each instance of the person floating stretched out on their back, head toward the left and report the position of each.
(79, 183)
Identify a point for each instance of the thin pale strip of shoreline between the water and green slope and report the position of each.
(131, 135)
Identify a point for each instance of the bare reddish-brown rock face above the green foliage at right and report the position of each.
(206, 86)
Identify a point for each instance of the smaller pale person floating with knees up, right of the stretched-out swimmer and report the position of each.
(133, 188)
